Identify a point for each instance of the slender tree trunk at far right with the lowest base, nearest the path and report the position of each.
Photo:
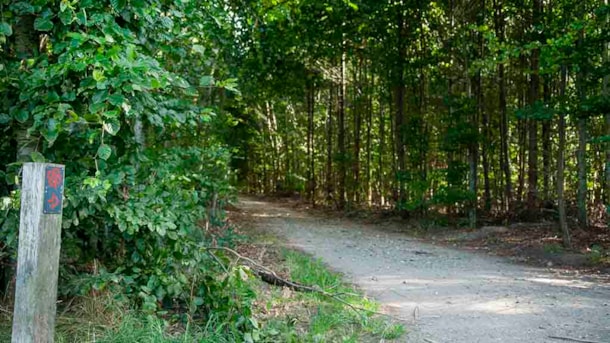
(563, 223)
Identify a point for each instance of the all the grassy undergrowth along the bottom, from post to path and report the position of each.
(284, 315)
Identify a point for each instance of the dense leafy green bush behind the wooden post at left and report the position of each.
(110, 89)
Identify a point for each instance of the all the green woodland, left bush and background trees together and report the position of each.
(161, 110)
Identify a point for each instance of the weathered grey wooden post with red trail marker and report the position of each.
(38, 253)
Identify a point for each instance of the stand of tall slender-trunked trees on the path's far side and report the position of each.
(499, 108)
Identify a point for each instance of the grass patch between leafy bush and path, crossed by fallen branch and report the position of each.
(313, 317)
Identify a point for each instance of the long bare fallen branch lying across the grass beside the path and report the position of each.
(269, 276)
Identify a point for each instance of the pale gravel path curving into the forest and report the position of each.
(445, 295)
